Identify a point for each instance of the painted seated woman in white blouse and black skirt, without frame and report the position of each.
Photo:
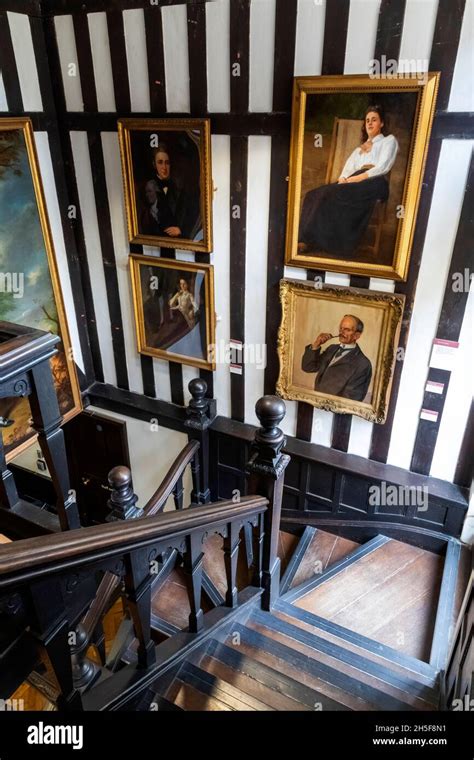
(335, 216)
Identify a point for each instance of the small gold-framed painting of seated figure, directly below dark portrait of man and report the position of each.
(174, 309)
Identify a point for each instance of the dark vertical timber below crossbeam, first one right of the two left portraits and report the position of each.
(238, 228)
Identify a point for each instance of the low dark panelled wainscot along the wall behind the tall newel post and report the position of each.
(326, 481)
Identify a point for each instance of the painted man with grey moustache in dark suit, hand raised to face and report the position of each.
(342, 369)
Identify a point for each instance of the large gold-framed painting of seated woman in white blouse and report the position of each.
(358, 151)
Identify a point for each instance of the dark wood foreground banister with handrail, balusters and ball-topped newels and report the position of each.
(42, 569)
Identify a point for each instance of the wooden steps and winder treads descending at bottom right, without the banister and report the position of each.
(298, 657)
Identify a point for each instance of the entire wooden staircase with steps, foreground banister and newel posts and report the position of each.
(212, 607)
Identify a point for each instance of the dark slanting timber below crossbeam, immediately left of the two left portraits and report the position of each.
(108, 258)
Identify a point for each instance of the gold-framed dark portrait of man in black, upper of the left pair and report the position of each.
(166, 166)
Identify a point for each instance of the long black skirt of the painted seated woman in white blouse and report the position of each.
(334, 217)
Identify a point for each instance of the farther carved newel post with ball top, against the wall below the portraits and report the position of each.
(199, 418)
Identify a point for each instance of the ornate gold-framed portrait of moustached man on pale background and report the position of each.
(337, 347)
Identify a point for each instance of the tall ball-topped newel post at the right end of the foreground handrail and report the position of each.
(265, 476)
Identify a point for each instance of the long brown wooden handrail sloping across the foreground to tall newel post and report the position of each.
(46, 555)
